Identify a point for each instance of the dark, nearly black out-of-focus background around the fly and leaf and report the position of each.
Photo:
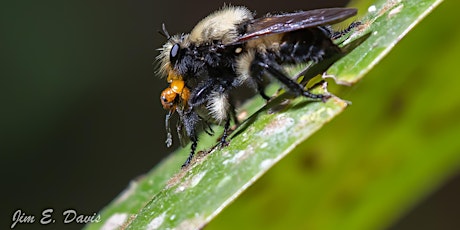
(80, 111)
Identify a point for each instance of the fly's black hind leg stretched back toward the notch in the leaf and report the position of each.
(293, 86)
